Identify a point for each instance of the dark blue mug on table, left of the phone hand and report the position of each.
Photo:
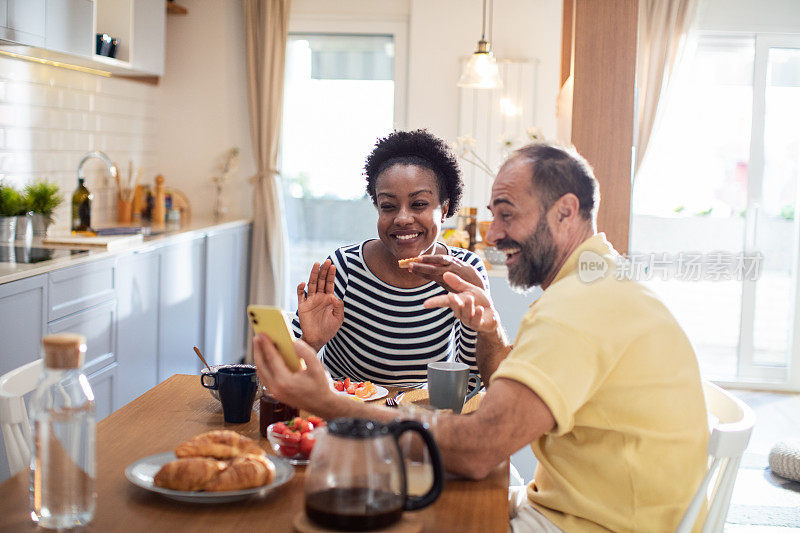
(237, 390)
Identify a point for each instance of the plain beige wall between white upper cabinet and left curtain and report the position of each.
(202, 104)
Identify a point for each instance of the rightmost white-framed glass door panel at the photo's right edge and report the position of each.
(767, 341)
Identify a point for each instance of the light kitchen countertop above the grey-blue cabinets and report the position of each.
(16, 271)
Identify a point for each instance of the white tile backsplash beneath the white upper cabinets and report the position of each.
(50, 117)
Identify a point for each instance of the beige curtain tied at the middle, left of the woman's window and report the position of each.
(266, 30)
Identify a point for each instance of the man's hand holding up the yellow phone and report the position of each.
(305, 389)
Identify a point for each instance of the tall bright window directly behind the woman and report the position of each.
(343, 90)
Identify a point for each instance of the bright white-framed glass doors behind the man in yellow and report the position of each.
(718, 191)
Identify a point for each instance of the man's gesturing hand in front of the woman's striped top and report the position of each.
(469, 303)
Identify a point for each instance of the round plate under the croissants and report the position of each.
(141, 473)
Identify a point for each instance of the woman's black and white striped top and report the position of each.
(387, 337)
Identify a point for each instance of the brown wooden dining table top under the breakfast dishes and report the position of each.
(178, 409)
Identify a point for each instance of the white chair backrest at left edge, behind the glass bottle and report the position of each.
(13, 416)
